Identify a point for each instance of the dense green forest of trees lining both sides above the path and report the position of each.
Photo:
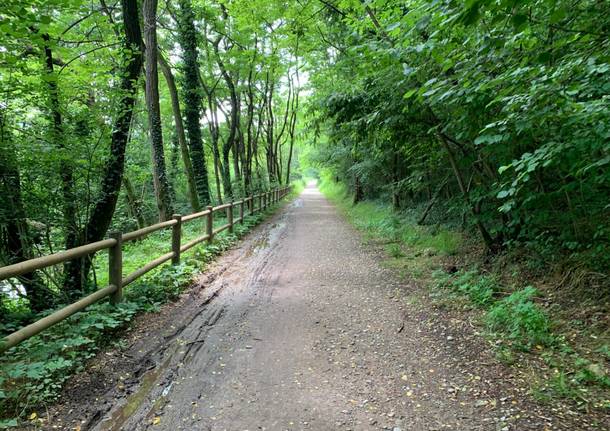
(490, 115)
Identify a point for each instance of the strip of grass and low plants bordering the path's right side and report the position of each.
(562, 356)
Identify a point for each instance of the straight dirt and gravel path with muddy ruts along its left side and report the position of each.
(305, 330)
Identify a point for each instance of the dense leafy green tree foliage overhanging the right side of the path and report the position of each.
(529, 139)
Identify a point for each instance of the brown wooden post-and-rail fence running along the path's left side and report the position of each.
(114, 243)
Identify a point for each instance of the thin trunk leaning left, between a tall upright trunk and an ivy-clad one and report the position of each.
(178, 124)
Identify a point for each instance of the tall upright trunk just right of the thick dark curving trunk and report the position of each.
(160, 180)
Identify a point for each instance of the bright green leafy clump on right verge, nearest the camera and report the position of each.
(521, 320)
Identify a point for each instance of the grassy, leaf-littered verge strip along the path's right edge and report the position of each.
(521, 328)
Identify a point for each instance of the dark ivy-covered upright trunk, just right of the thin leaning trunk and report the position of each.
(191, 94)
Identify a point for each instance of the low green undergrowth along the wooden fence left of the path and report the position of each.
(33, 373)
